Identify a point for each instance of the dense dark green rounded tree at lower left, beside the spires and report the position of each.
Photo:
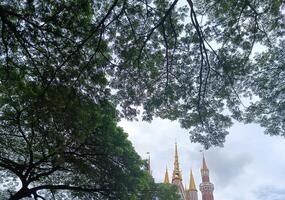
(62, 144)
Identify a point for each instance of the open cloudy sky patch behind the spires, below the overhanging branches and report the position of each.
(250, 166)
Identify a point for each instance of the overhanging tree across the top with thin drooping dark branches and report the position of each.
(153, 54)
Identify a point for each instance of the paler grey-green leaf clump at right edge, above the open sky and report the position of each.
(267, 83)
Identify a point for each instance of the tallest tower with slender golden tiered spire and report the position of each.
(176, 176)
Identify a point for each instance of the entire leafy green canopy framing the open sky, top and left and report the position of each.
(70, 69)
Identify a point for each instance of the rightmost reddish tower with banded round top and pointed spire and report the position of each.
(206, 187)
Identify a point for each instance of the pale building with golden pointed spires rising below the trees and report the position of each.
(191, 193)
